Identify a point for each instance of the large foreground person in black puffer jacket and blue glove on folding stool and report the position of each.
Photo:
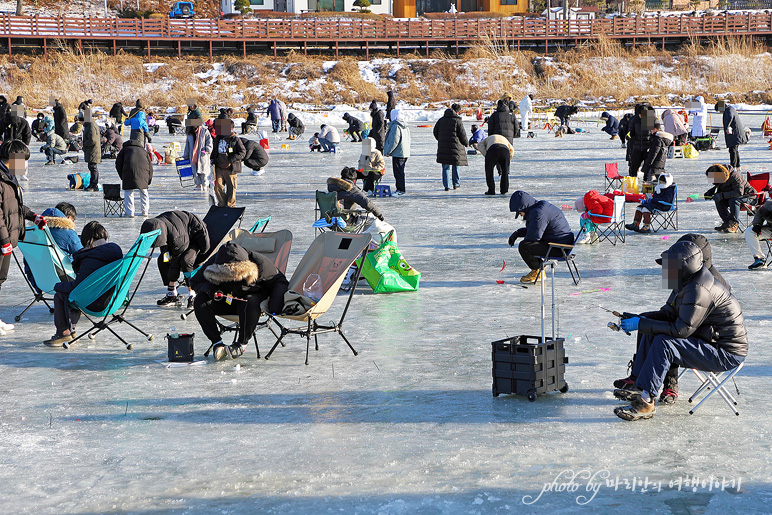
(703, 328)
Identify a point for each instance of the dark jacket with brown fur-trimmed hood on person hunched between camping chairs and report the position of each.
(236, 271)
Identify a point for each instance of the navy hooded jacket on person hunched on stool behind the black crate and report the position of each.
(544, 222)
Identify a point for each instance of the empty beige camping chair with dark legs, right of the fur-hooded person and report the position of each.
(330, 256)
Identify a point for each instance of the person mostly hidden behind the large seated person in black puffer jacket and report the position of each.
(625, 388)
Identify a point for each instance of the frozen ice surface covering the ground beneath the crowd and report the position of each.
(409, 425)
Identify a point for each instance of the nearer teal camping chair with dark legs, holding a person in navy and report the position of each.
(114, 282)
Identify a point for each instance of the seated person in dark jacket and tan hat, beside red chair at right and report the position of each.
(729, 191)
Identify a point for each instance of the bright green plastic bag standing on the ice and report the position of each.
(386, 271)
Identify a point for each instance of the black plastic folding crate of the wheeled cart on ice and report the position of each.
(526, 365)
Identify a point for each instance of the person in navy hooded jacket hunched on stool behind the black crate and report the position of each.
(544, 224)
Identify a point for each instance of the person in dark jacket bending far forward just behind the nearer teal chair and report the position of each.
(184, 239)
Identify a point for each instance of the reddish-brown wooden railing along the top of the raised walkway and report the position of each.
(331, 30)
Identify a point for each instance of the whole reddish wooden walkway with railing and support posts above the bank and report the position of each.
(166, 35)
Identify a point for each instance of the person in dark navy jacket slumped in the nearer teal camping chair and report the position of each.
(96, 253)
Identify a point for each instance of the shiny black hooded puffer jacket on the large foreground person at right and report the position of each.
(702, 307)
